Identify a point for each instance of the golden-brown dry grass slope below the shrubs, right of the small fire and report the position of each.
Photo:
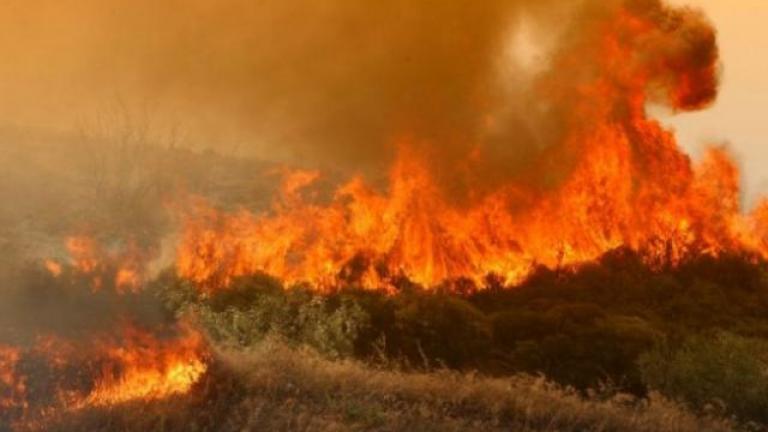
(345, 395)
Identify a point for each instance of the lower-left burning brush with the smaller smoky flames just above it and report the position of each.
(104, 361)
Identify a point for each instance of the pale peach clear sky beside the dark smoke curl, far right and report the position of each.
(739, 115)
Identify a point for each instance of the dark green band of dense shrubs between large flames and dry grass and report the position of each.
(615, 322)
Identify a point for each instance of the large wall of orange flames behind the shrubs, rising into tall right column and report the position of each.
(627, 184)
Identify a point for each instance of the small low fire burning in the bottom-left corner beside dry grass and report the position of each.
(133, 364)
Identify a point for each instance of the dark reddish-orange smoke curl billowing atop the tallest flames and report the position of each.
(673, 56)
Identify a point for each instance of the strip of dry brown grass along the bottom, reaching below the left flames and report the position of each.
(274, 387)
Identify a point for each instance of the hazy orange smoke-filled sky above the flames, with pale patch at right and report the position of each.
(335, 81)
